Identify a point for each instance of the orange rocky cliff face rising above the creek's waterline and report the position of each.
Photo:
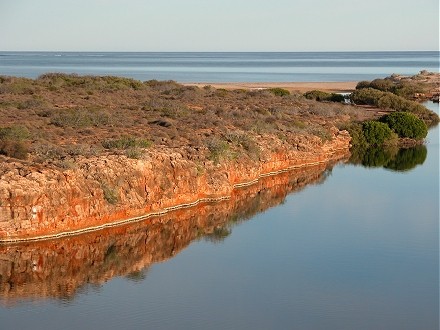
(35, 202)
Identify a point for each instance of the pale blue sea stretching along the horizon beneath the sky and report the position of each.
(223, 67)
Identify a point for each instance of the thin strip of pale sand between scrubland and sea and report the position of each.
(302, 87)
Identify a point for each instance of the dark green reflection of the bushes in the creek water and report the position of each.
(403, 159)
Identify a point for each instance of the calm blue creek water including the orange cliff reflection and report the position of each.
(358, 249)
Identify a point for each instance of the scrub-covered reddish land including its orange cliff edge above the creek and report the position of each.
(79, 152)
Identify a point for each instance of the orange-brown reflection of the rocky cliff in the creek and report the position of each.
(62, 268)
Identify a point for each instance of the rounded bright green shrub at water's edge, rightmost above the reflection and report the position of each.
(406, 125)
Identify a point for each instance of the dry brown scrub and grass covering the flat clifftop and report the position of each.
(68, 116)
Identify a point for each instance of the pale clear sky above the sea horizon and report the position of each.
(221, 25)
